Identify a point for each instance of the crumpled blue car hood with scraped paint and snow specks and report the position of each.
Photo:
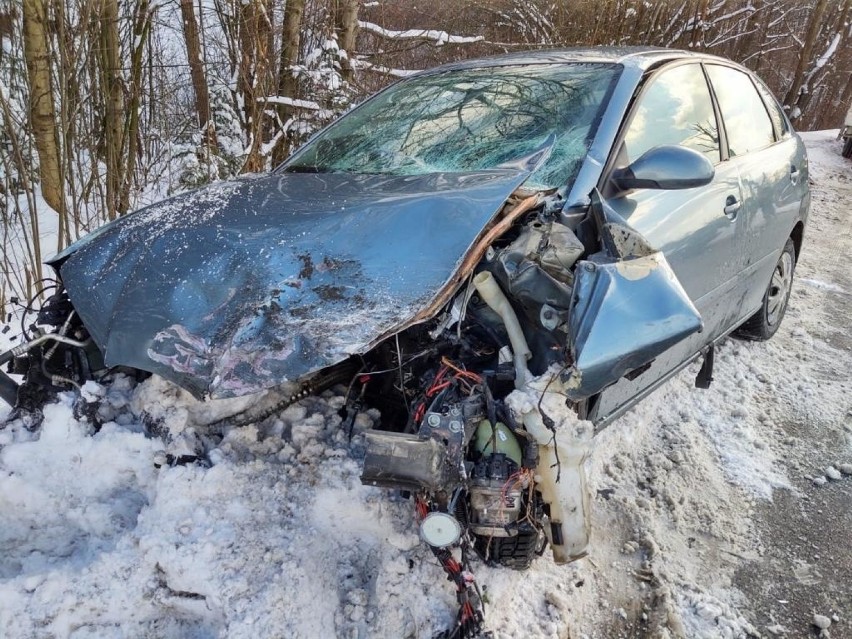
(243, 285)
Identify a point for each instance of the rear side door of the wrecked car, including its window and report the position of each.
(772, 174)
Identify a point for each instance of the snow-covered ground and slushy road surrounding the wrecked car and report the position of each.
(715, 514)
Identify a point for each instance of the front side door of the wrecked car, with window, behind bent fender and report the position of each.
(696, 228)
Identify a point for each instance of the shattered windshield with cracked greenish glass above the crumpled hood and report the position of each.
(471, 120)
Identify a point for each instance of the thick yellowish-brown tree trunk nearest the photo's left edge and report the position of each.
(42, 108)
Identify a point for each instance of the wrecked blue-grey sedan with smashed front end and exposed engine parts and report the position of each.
(496, 254)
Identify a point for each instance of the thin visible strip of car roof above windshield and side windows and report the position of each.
(638, 57)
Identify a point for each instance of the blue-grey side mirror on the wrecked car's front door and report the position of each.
(666, 167)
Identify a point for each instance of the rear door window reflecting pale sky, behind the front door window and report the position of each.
(746, 120)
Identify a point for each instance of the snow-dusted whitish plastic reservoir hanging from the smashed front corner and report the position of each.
(560, 475)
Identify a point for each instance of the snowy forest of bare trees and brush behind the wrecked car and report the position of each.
(106, 106)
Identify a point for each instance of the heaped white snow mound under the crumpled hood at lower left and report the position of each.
(275, 537)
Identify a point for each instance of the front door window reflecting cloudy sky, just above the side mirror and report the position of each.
(674, 109)
